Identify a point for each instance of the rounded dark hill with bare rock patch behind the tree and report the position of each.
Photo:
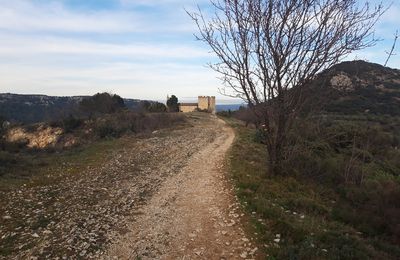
(359, 87)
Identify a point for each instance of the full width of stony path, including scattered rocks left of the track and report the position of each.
(163, 197)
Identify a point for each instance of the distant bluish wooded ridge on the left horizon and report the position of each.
(36, 108)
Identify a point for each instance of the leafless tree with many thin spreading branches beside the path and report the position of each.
(268, 50)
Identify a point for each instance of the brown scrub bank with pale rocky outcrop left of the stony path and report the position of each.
(34, 146)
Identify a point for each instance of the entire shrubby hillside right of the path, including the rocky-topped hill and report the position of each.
(339, 194)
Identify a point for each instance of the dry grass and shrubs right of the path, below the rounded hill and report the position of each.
(339, 196)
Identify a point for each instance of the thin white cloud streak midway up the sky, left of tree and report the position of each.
(23, 46)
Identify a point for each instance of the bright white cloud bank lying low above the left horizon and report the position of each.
(126, 79)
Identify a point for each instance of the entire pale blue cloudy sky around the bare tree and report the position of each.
(141, 49)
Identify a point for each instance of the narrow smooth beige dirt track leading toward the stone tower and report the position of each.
(193, 214)
